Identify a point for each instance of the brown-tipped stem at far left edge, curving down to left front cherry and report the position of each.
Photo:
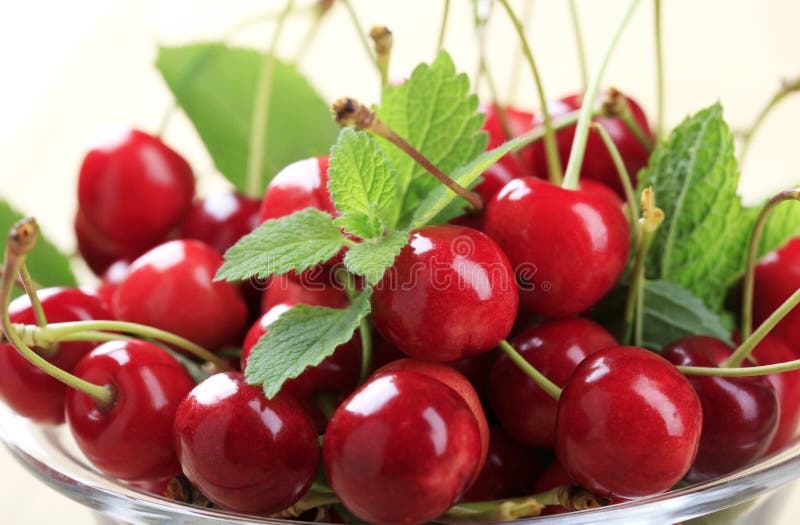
(21, 240)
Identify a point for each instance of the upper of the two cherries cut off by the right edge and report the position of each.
(777, 277)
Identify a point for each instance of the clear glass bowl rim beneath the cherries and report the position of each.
(749, 495)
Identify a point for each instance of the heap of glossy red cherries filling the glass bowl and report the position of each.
(444, 417)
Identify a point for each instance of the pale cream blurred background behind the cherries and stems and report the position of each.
(72, 69)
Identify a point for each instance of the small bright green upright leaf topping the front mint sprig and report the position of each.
(363, 185)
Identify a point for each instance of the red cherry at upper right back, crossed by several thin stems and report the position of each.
(598, 164)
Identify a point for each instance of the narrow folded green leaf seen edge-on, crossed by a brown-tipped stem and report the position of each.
(442, 203)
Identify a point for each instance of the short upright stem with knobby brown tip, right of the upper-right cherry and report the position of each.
(652, 218)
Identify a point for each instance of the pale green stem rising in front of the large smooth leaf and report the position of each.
(260, 118)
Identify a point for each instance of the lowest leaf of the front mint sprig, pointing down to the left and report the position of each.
(302, 337)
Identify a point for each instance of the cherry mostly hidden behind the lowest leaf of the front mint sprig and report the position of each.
(337, 373)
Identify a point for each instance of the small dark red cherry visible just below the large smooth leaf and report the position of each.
(220, 219)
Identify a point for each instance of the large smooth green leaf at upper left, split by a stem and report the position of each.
(215, 85)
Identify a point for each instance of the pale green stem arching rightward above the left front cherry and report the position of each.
(57, 331)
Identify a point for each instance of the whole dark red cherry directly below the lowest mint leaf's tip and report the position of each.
(246, 453)
